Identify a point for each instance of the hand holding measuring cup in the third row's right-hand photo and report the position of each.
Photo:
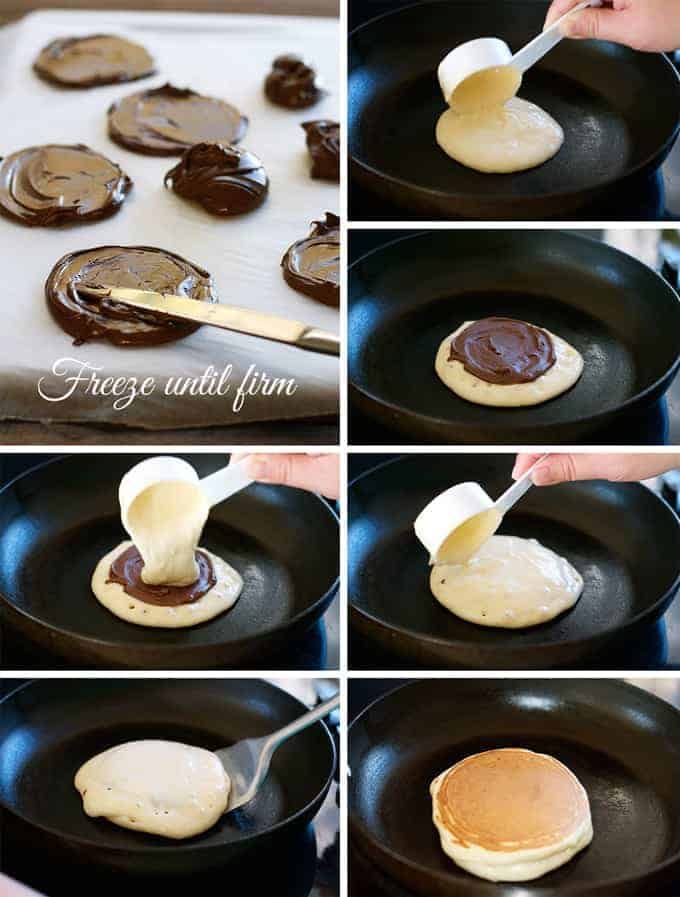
(563, 468)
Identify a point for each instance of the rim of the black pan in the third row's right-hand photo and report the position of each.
(514, 650)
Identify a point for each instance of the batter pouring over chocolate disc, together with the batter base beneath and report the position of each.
(159, 578)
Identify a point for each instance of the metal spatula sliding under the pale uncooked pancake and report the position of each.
(247, 762)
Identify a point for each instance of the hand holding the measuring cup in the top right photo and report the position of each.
(650, 25)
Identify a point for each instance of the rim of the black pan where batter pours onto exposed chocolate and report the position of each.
(169, 648)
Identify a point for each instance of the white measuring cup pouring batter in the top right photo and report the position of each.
(492, 60)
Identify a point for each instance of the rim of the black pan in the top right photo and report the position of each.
(604, 184)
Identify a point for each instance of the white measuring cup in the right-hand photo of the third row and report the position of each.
(455, 524)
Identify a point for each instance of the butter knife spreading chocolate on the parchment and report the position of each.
(228, 317)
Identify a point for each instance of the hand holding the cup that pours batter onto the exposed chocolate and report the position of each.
(316, 473)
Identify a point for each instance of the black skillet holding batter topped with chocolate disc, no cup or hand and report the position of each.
(407, 296)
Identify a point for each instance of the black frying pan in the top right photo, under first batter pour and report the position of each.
(620, 111)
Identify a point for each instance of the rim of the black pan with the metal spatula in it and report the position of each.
(180, 846)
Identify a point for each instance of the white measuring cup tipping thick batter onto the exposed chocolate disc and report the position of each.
(216, 487)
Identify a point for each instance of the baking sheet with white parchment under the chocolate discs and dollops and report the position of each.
(220, 55)
